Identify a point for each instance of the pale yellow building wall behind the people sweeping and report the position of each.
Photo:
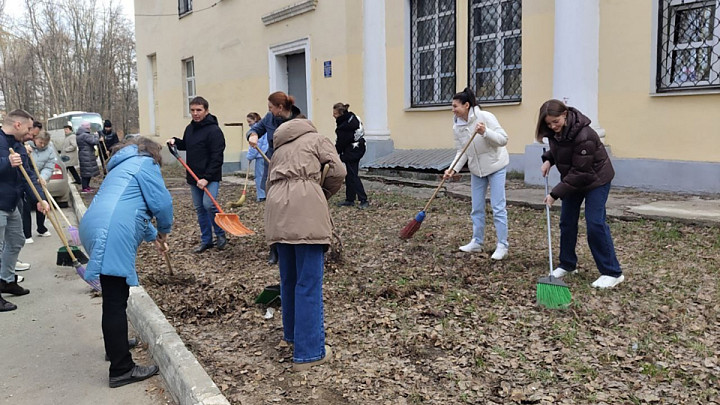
(230, 46)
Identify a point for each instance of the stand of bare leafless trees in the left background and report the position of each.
(70, 55)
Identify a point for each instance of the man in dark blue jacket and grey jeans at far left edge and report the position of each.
(12, 185)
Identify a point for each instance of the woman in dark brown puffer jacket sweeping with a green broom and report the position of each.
(585, 175)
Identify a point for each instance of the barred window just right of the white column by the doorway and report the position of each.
(433, 52)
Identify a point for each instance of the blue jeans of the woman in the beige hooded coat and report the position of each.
(301, 274)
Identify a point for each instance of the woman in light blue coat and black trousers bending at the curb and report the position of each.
(114, 226)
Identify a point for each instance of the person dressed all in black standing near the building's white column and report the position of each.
(350, 145)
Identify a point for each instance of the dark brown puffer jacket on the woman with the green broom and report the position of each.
(579, 155)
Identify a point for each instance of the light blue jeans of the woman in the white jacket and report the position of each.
(479, 186)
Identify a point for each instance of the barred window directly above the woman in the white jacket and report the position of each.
(495, 71)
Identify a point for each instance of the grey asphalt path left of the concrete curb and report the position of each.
(52, 347)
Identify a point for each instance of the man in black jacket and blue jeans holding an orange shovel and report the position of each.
(204, 142)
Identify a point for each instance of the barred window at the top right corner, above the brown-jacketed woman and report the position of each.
(688, 45)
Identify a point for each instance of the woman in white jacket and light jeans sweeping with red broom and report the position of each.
(487, 160)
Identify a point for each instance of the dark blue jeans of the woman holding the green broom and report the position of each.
(598, 231)
